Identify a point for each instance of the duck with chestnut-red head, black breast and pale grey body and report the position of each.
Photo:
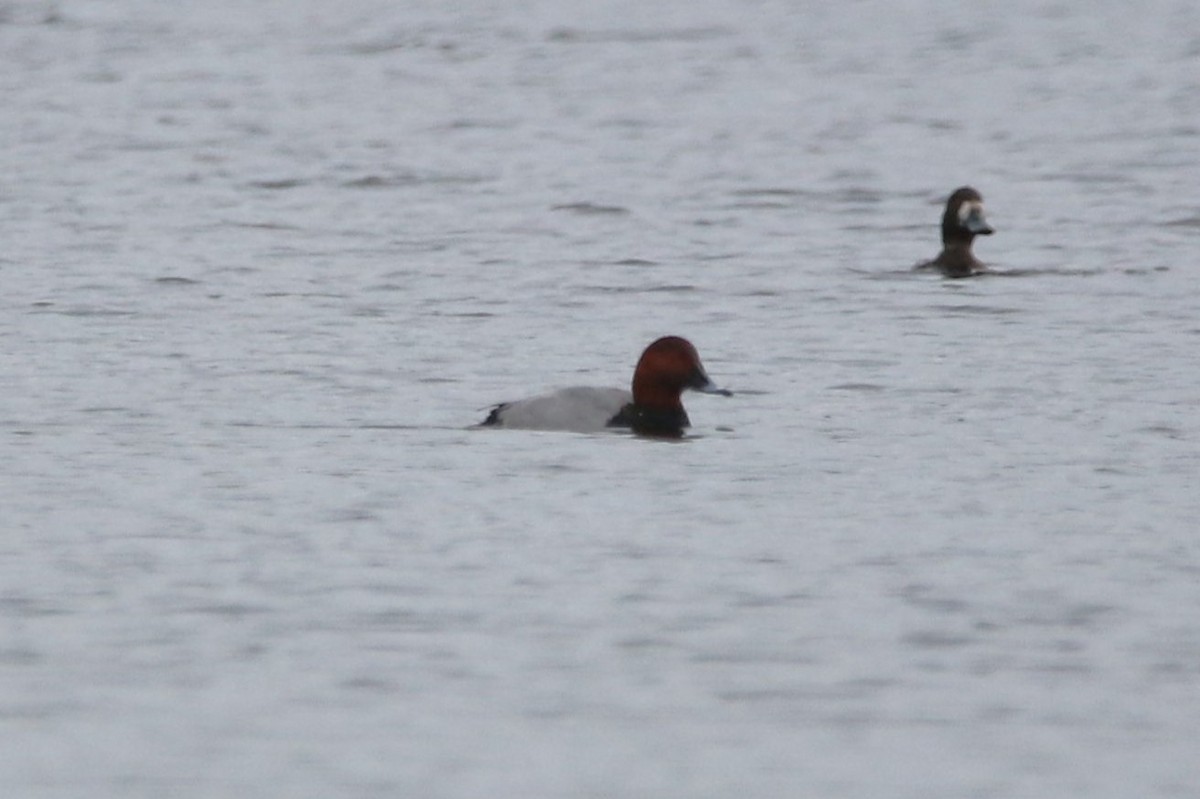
(652, 407)
